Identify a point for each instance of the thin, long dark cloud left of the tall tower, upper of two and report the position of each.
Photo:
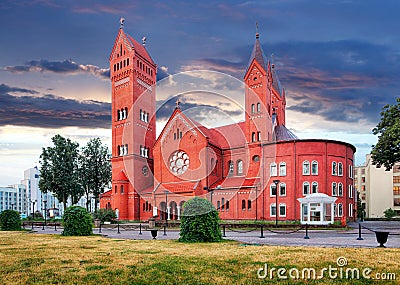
(61, 67)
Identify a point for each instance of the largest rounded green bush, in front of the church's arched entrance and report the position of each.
(199, 222)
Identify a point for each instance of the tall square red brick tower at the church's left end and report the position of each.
(133, 78)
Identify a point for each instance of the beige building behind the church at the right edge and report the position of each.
(379, 189)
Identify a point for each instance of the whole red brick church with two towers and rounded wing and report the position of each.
(254, 170)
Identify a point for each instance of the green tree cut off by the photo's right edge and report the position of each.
(387, 151)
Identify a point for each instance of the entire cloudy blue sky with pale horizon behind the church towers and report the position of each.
(339, 61)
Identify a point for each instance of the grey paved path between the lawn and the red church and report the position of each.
(320, 238)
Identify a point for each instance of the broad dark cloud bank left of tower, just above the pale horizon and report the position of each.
(49, 111)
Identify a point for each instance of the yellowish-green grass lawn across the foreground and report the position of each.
(53, 259)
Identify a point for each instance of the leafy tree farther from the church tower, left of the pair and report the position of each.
(59, 170)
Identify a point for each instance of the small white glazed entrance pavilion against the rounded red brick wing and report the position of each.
(317, 209)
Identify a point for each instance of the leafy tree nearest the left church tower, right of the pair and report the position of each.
(95, 169)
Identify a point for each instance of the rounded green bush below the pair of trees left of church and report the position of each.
(77, 222)
